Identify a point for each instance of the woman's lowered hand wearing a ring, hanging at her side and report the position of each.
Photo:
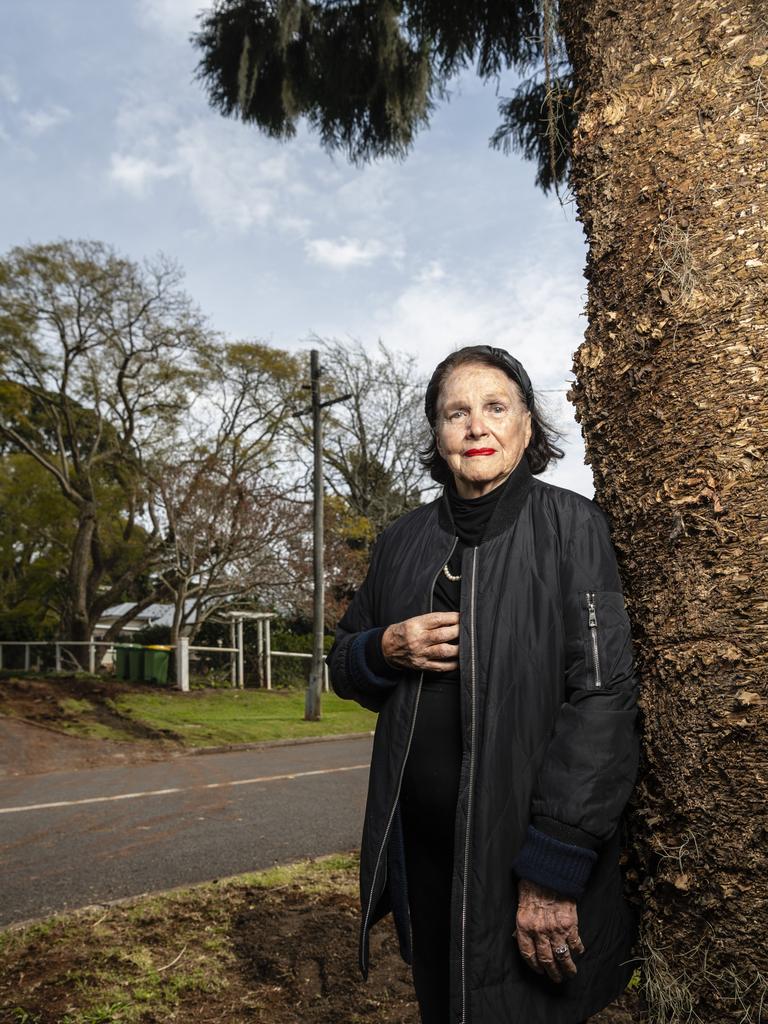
(547, 926)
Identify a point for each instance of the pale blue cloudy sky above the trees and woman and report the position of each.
(106, 135)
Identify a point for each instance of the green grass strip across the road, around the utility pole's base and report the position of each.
(206, 718)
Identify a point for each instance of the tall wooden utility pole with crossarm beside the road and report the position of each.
(315, 689)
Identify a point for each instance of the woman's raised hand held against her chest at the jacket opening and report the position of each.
(428, 644)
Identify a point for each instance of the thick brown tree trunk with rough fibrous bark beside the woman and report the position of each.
(671, 180)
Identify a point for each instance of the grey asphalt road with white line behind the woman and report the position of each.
(117, 832)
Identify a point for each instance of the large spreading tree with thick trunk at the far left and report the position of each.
(96, 356)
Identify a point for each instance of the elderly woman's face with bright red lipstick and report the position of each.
(483, 428)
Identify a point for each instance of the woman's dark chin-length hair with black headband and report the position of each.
(543, 448)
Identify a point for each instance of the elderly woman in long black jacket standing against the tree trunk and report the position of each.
(491, 636)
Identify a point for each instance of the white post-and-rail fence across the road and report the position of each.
(265, 656)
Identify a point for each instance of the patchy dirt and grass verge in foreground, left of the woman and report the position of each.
(238, 954)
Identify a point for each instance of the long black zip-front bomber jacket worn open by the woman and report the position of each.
(548, 696)
